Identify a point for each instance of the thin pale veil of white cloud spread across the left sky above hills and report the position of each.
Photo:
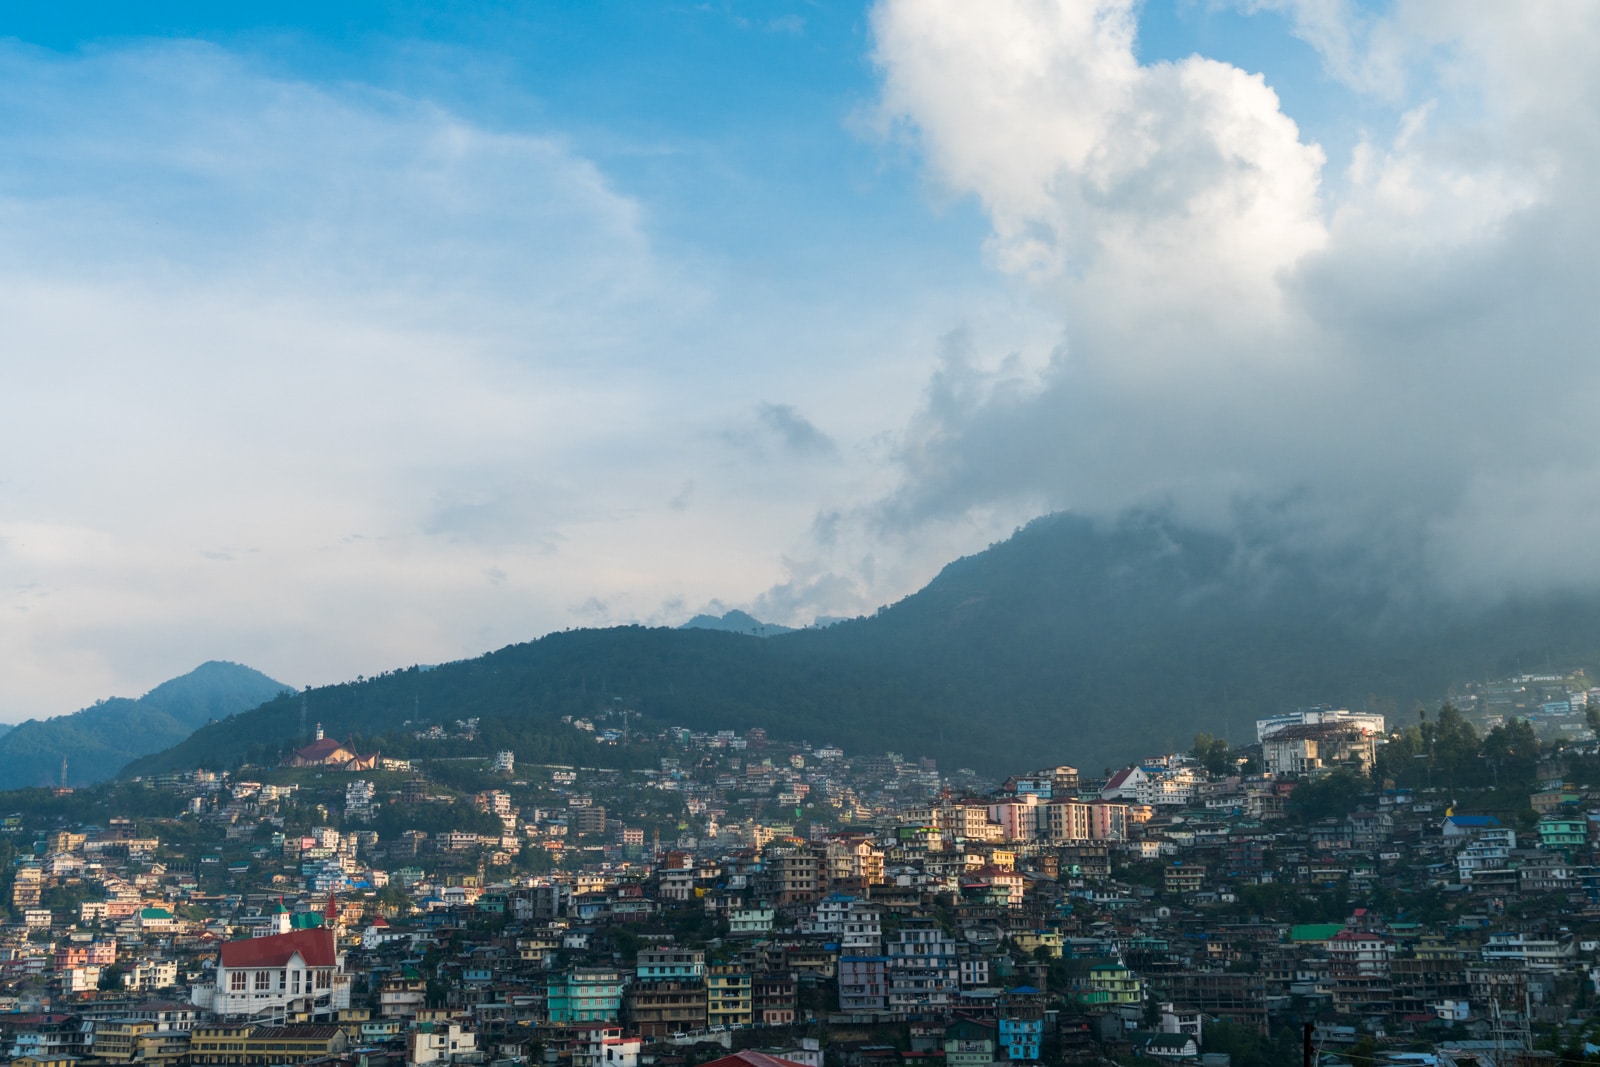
(329, 380)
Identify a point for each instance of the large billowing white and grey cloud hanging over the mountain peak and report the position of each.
(1398, 345)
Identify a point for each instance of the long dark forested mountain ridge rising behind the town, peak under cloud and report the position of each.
(1070, 642)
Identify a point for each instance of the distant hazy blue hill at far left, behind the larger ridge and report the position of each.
(100, 740)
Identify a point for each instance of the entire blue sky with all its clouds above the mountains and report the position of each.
(338, 338)
